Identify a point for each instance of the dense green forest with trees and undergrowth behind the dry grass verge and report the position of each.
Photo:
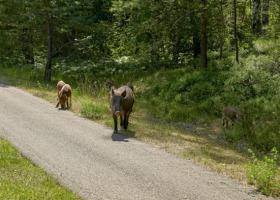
(187, 59)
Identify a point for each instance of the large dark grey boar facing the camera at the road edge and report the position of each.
(121, 103)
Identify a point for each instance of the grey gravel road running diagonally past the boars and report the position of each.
(87, 158)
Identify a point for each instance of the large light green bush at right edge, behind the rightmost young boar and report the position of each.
(253, 86)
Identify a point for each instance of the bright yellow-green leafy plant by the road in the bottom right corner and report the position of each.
(263, 172)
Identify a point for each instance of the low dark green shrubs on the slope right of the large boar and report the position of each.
(183, 94)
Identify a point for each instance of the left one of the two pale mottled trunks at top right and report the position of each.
(256, 16)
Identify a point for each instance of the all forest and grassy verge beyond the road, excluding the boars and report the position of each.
(186, 59)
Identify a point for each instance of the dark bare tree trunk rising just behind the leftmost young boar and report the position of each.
(47, 75)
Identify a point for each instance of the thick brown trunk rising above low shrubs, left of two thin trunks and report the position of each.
(203, 35)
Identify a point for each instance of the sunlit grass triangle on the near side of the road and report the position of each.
(20, 179)
